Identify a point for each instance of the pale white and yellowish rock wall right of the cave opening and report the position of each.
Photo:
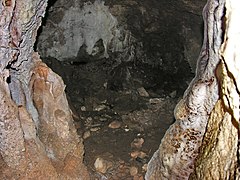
(204, 139)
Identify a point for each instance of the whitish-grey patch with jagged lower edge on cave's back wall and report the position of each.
(71, 27)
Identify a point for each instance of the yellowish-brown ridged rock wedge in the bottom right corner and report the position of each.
(218, 155)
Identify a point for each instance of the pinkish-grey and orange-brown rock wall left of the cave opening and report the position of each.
(22, 129)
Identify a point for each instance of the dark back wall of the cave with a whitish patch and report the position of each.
(159, 33)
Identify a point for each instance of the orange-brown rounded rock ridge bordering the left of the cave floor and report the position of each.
(56, 128)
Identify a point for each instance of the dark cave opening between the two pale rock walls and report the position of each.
(125, 65)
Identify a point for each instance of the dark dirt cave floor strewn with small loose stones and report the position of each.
(121, 115)
